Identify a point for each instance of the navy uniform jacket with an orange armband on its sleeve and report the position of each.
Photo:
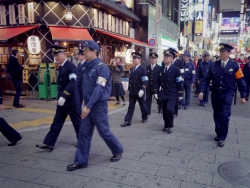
(224, 80)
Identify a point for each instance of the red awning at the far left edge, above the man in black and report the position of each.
(9, 32)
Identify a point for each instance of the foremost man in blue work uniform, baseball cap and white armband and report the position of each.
(97, 82)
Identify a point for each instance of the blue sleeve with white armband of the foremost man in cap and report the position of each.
(103, 76)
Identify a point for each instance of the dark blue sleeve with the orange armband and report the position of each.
(240, 82)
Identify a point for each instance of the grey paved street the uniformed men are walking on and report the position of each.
(188, 158)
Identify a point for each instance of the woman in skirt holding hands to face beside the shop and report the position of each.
(117, 73)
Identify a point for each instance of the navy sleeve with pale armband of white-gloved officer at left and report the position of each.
(72, 76)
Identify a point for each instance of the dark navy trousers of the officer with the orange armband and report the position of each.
(222, 103)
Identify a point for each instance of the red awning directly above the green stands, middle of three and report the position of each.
(69, 34)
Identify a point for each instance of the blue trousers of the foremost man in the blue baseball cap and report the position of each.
(97, 117)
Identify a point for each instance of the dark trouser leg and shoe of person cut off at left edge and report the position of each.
(12, 135)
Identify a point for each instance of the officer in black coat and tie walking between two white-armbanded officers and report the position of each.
(152, 72)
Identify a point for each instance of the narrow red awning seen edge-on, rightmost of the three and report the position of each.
(126, 39)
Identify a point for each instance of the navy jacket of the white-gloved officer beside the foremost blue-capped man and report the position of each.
(67, 86)
